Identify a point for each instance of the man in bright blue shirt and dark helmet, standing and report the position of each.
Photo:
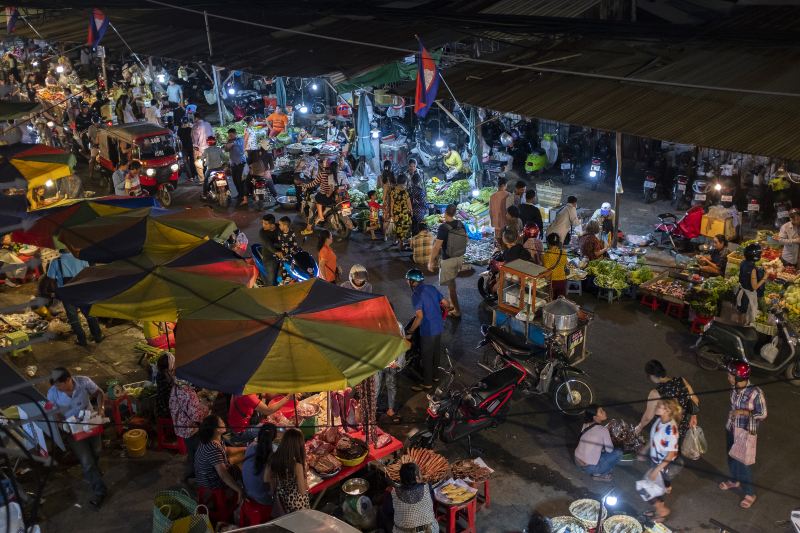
(428, 322)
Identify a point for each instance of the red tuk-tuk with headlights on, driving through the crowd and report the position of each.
(154, 146)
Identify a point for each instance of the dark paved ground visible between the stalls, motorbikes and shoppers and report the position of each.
(531, 452)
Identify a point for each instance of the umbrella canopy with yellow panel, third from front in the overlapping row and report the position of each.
(109, 238)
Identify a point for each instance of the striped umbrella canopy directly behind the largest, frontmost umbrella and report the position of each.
(159, 287)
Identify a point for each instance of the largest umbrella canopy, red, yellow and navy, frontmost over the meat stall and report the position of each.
(308, 337)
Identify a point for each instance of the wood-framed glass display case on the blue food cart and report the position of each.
(524, 287)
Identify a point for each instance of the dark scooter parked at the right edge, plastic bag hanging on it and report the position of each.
(720, 344)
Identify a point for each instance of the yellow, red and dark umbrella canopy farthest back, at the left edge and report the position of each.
(24, 166)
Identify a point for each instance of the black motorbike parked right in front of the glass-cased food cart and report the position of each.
(547, 370)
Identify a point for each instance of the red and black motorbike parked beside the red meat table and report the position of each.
(457, 412)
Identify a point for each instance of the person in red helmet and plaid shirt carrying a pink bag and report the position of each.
(748, 409)
